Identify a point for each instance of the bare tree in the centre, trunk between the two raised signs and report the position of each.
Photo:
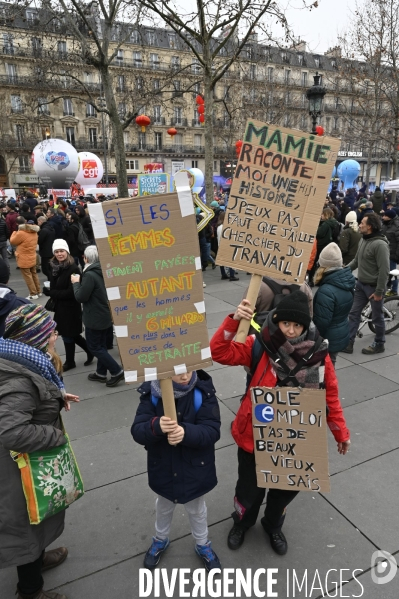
(216, 33)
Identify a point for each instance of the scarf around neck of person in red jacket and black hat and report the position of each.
(291, 351)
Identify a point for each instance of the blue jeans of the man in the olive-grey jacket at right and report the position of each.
(362, 294)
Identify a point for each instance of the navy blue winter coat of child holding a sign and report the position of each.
(187, 470)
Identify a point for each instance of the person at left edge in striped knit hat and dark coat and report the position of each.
(31, 398)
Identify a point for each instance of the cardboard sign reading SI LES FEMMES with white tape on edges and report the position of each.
(149, 255)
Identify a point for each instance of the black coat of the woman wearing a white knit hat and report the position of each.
(91, 292)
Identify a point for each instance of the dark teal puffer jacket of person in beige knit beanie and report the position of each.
(331, 307)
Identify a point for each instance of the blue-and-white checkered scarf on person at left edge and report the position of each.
(18, 352)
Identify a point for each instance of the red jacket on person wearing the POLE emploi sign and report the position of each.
(226, 351)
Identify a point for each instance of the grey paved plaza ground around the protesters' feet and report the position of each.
(108, 531)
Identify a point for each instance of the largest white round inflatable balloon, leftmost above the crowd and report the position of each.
(56, 163)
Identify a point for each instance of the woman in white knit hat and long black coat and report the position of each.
(92, 294)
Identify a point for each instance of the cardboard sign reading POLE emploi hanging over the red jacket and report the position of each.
(290, 438)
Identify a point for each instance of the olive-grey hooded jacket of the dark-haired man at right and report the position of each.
(372, 261)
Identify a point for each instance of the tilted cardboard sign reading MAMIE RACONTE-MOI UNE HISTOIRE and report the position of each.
(276, 200)
